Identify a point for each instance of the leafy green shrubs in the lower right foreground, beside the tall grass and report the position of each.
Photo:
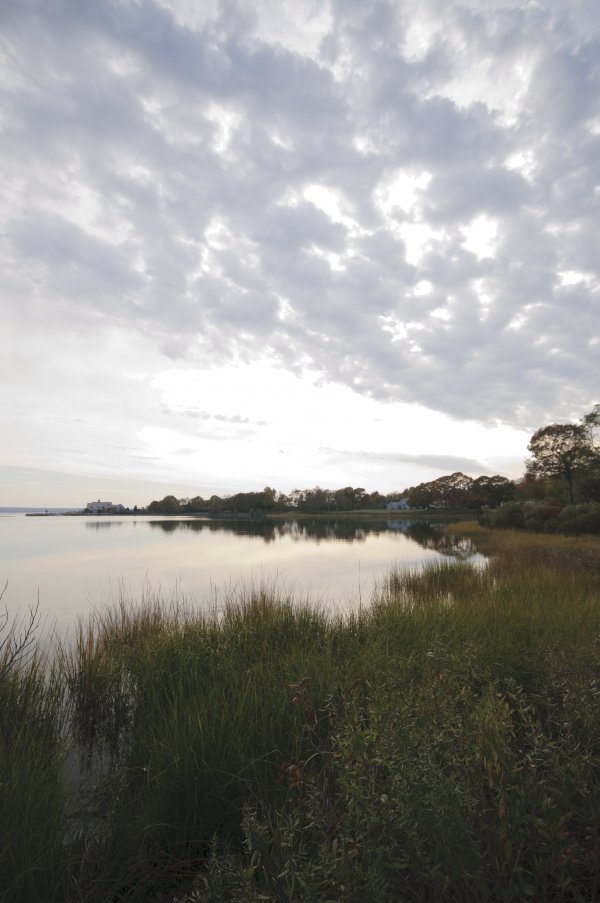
(396, 800)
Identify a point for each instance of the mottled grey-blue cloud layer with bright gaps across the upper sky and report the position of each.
(220, 187)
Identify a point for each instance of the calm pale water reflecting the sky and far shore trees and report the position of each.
(75, 563)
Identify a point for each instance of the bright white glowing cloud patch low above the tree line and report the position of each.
(292, 425)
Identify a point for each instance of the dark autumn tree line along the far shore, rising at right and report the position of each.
(564, 469)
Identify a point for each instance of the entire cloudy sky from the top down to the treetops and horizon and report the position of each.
(262, 242)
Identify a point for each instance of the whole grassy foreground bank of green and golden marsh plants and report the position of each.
(441, 744)
